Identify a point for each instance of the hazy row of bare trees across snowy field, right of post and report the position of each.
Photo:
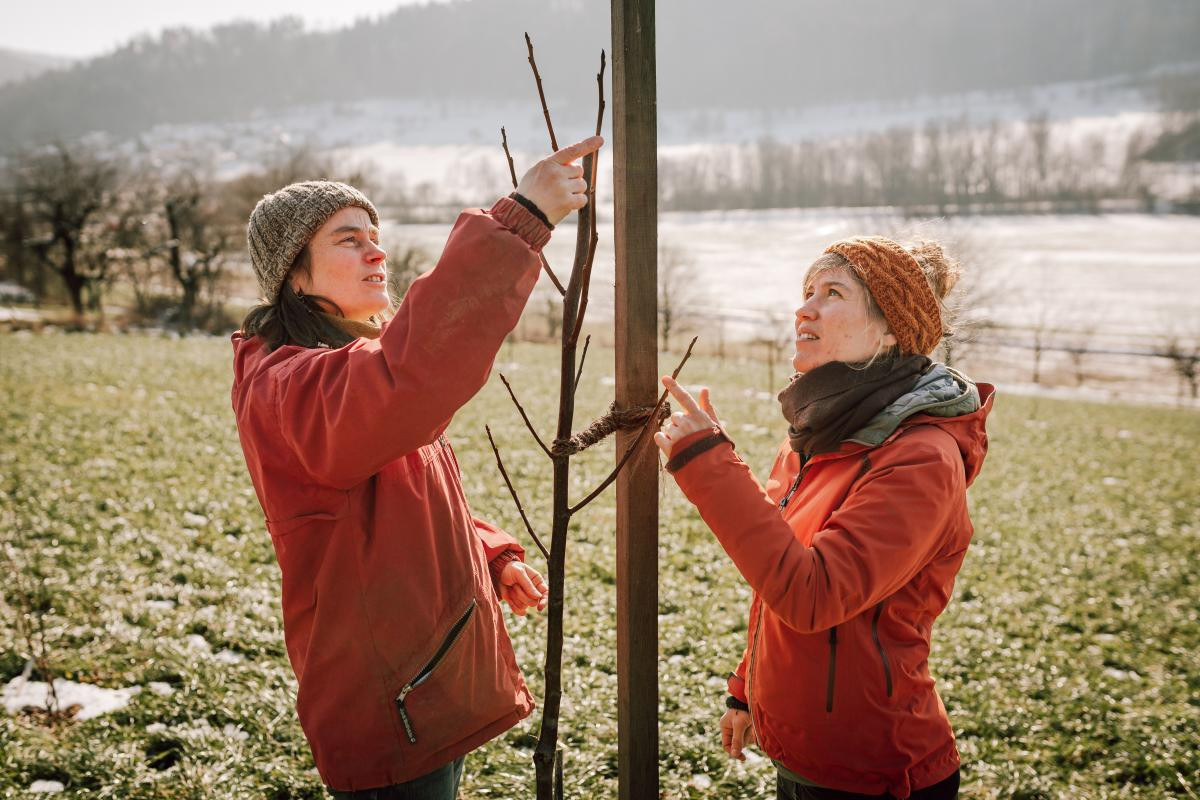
(947, 167)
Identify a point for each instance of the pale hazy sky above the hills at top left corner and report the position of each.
(83, 28)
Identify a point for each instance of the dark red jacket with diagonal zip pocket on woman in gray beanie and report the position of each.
(391, 616)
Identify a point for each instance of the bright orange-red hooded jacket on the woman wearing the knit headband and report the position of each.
(848, 584)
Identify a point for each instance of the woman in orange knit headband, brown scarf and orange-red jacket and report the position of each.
(853, 545)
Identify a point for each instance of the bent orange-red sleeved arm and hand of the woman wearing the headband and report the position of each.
(872, 545)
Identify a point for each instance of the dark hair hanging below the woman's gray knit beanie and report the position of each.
(296, 318)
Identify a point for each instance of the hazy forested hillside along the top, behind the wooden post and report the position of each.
(712, 53)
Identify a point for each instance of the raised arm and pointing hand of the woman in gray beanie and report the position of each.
(349, 412)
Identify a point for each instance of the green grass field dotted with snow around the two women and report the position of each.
(1070, 659)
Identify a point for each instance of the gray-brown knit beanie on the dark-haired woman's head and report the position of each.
(284, 222)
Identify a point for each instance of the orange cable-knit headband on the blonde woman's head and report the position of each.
(899, 287)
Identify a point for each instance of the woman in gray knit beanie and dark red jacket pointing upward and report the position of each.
(392, 588)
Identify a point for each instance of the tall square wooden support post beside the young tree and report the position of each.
(635, 179)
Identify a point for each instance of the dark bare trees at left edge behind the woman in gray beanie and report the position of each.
(79, 224)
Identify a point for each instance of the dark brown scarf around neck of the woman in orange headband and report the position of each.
(830, 404)
